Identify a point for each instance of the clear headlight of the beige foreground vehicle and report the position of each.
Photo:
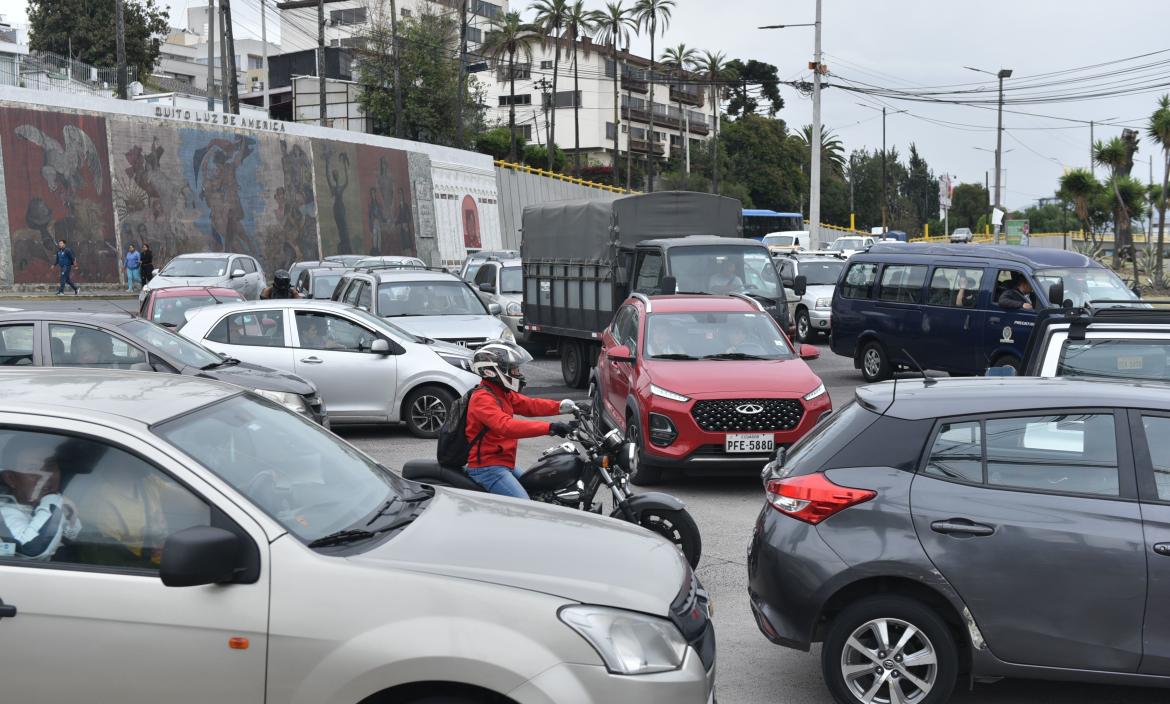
(629, 643)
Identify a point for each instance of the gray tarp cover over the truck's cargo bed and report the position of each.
(581, 230)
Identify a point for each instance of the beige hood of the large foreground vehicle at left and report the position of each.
(535, 547)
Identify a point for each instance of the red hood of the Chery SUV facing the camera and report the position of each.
(704, 379)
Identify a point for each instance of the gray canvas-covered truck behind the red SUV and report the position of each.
(583, 259)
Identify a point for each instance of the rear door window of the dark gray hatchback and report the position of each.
(1070, 454)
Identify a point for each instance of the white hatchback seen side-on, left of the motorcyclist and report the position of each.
(368, 370)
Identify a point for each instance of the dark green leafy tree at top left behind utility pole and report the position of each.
(87, 26)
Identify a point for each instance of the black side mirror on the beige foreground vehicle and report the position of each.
(201, 556)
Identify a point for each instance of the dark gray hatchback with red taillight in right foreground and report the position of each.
(1009, 528)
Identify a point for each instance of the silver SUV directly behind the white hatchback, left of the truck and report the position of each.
(432, 305)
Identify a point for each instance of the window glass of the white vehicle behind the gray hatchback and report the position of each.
(1116, 360)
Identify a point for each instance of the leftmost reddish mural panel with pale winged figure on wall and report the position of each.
(57, 178)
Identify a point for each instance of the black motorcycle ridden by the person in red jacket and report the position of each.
(574, 472)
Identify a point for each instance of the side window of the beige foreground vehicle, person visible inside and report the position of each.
(78, 501)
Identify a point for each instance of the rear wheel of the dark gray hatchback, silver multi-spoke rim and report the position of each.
(851, 672)
